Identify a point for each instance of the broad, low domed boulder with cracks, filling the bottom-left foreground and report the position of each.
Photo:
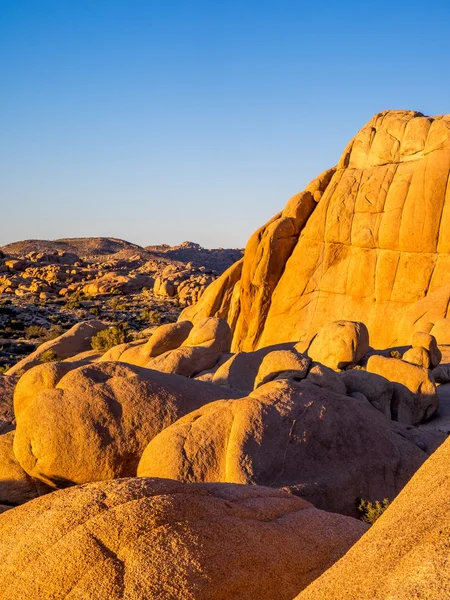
(151, 539)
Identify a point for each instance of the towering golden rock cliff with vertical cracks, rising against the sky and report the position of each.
(366, 241)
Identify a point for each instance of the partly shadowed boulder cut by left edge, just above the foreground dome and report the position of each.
(16, 487)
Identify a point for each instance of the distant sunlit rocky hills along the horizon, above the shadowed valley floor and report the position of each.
(106, 265)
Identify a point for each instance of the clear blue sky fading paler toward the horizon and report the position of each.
(160, 121)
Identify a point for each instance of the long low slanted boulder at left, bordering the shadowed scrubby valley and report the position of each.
(72, 342)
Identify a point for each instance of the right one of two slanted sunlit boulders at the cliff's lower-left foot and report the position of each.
(201, 350)
